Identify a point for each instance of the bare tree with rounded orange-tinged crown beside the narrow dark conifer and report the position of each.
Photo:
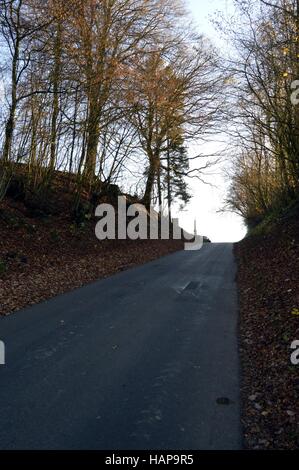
(172, 96)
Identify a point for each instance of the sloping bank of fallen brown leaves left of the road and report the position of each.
(40, 259)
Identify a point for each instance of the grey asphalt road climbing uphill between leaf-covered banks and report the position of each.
(146, 359)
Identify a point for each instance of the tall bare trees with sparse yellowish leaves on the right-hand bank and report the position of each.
(266, 126)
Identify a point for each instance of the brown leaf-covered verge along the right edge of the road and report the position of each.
(269, 294)
